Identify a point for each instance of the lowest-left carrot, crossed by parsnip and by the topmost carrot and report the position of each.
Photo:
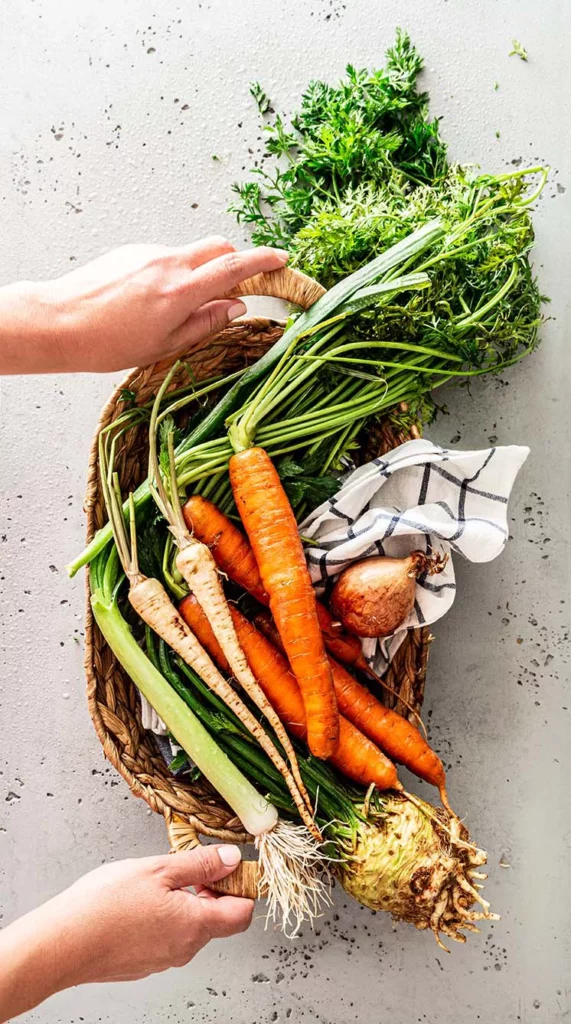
(357, 757)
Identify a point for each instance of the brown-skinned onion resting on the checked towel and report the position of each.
(374, 598)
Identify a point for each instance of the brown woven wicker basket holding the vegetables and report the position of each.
(195, 810)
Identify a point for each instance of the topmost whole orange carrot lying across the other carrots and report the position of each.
(273, 531)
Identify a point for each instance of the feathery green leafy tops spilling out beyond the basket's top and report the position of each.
(361, 168)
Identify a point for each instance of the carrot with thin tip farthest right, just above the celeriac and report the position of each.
(394, 735)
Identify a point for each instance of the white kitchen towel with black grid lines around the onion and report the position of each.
(419, 496)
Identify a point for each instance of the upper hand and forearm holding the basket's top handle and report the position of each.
(131, 307)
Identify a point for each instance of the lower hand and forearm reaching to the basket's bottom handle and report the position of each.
(121, 922)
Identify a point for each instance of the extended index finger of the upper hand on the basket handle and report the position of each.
(215, 279)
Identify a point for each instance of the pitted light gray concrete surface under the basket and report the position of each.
(110, 116)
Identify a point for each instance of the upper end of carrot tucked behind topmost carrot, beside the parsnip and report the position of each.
(231, 548)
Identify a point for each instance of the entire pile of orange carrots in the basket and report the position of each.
(315, 694)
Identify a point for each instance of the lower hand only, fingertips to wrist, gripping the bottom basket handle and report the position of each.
(137, 918)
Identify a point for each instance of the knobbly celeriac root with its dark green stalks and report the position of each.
(390, 852)
